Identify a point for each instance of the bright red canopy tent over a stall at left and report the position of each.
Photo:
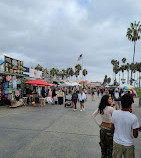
(38, 82)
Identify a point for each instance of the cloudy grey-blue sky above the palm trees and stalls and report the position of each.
(53, 33)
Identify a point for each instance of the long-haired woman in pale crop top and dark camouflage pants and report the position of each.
(106, 135)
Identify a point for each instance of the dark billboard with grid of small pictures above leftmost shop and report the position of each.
(13, 65)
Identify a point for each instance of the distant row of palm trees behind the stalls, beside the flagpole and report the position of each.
(63, 73)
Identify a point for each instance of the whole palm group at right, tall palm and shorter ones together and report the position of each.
(133, 35)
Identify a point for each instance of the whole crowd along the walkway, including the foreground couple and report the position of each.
(119, 125)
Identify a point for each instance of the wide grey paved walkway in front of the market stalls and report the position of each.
(52, 132)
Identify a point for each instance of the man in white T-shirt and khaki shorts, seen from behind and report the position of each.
(125, 127)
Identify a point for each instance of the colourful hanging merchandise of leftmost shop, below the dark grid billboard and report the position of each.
(11, 88)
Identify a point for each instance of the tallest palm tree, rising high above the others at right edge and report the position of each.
(133, 35)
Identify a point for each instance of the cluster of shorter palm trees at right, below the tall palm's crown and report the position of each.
(118, 68)
